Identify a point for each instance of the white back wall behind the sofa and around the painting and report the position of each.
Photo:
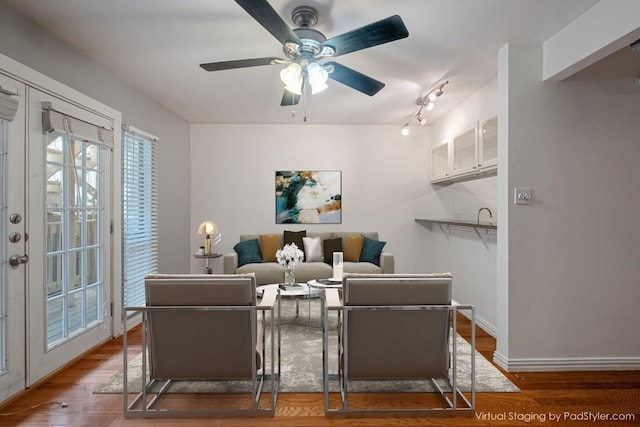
(384, 176)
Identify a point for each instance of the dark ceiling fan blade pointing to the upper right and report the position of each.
(379, 32)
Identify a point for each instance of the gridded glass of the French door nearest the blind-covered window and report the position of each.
(74, 244)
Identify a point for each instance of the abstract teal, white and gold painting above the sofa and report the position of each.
(308, 197)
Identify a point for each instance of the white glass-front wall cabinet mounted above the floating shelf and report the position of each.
(470, 155)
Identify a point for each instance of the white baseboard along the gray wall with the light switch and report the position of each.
(567, 364)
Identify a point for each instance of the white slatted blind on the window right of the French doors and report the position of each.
(140, 213)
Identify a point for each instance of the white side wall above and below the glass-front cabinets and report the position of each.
(472, 258)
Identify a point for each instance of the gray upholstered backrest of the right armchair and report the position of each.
(396, 343)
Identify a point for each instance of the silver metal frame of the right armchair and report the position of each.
(331, 303)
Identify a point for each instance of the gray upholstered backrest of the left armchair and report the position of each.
(201, 344)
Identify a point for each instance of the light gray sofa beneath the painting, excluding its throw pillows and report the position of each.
(272, 272)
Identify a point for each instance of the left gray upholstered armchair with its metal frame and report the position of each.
(208, 330)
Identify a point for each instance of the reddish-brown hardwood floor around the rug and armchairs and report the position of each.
(555, 398)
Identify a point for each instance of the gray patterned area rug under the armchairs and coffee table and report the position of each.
(301, 365)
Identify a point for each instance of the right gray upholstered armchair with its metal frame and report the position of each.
(395, 329)
